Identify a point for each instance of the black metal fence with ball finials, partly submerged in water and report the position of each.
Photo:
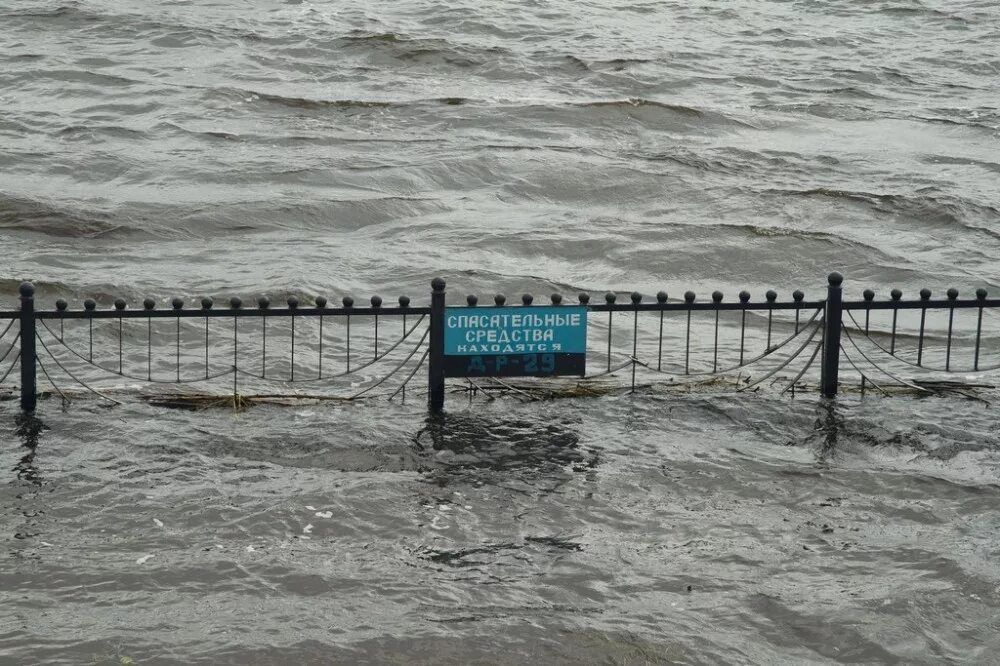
(312, 345)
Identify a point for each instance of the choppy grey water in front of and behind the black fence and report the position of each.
(182, 148)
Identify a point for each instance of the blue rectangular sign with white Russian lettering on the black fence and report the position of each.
(515, 341)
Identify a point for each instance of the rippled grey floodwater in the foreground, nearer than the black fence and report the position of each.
(689, 530)
